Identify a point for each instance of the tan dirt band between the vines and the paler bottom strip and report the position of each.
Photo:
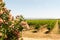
(39, 35)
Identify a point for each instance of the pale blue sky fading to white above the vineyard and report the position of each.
(34, 8)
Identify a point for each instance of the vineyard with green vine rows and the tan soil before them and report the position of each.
(46, 28)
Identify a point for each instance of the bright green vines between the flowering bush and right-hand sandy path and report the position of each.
(40, 22)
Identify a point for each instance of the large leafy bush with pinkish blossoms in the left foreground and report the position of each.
(8, 28)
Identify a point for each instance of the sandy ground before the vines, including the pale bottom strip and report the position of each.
(40, 36)
